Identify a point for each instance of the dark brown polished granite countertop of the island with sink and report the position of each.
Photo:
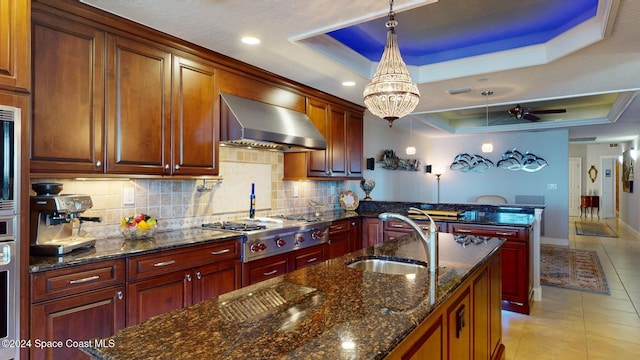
(325, 311)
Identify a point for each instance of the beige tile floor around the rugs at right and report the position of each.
(569, 324)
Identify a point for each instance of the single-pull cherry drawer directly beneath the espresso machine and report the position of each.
(76, 279)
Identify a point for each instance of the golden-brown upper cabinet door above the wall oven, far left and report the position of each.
(14, 36)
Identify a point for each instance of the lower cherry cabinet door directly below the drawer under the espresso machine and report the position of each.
(66, 321)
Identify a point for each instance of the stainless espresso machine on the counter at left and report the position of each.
(56, 224)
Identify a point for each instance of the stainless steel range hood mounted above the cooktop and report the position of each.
(250, 123)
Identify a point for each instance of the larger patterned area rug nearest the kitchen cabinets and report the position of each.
(572, 269)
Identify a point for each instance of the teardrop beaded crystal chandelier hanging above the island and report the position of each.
(391, 94)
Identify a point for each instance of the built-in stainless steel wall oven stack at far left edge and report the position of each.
(9, 232)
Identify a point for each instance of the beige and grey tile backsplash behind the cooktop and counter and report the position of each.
(178, 203)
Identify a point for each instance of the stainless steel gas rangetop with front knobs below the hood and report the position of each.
(264, 237)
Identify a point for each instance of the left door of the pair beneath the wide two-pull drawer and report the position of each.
(158, 295)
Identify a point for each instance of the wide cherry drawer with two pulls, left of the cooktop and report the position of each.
(148, 265)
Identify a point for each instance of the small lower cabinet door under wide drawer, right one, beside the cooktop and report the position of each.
(215, 279)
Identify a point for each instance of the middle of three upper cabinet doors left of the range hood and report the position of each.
(138, 108)
